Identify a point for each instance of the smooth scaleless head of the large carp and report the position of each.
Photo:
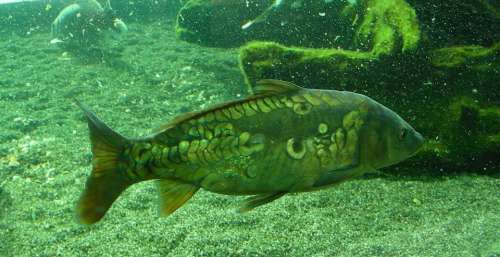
(388, 138)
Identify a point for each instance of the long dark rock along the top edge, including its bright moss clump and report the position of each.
(383, 27)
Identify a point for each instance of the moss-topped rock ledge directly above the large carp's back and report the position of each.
(260, 60)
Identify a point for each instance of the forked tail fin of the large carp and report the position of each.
(107, 180)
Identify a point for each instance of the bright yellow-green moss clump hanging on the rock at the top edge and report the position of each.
(383, 20)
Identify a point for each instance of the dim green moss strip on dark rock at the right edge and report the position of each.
(473, 56)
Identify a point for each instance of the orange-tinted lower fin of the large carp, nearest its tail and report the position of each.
(173, 194)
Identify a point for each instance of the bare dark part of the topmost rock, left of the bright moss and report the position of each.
(222, 23)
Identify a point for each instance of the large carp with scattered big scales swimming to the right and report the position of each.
(281, 139)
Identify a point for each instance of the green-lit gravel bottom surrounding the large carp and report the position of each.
(150, 76)
